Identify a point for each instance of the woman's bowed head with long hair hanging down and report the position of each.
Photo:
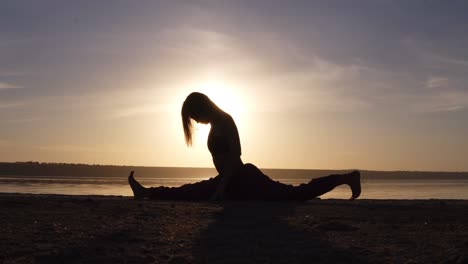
(197, 107)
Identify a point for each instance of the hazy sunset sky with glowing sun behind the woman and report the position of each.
(380, 85)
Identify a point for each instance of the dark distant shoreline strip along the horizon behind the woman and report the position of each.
(69, 169)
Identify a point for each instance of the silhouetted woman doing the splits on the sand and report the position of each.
(236, 180)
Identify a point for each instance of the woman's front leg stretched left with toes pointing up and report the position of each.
(202, 190)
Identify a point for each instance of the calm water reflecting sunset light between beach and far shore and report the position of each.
(376, 188)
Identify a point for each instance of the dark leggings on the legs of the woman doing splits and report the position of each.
(249, 184)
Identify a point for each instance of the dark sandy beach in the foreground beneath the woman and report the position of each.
(104, 229)
